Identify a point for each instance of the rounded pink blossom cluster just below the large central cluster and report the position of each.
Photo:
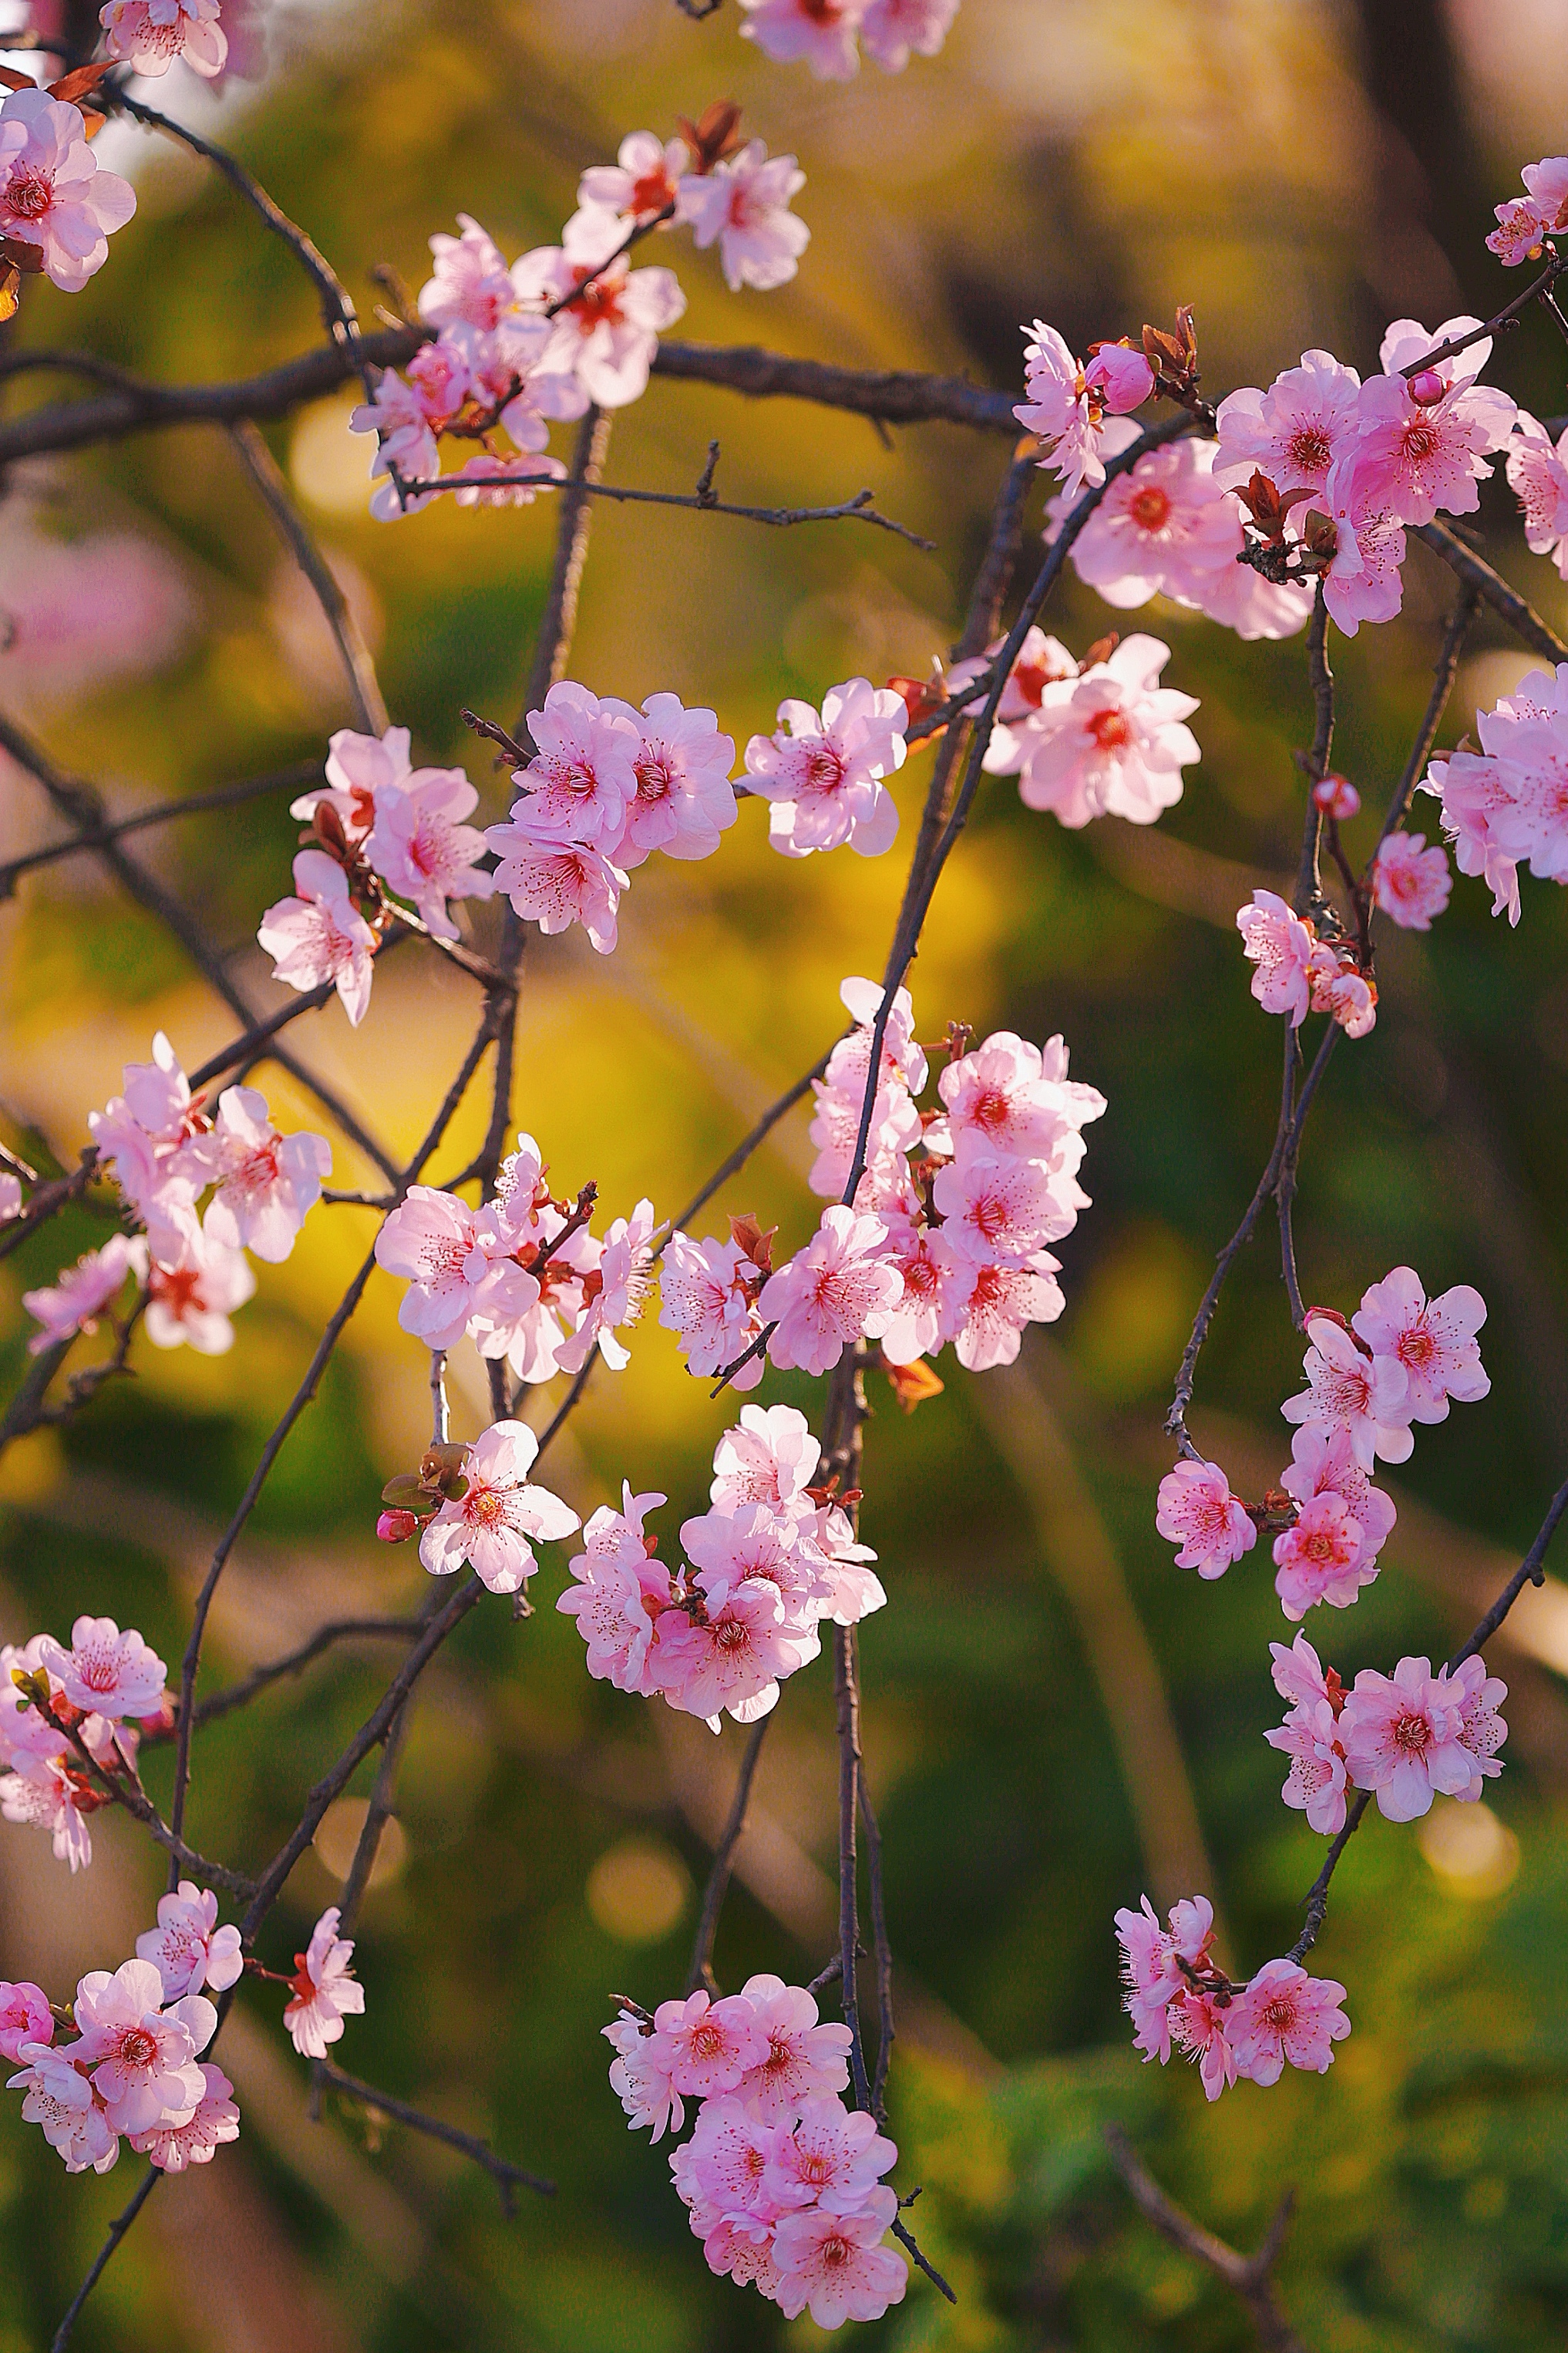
(762, 1571)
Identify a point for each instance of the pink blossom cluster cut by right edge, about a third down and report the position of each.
(1508, 804)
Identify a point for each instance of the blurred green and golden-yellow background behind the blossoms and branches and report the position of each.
(1054, 1717)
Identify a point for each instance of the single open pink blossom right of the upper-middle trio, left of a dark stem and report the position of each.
(823, 771)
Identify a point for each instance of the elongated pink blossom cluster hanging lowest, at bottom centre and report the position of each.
(780, 2178)
